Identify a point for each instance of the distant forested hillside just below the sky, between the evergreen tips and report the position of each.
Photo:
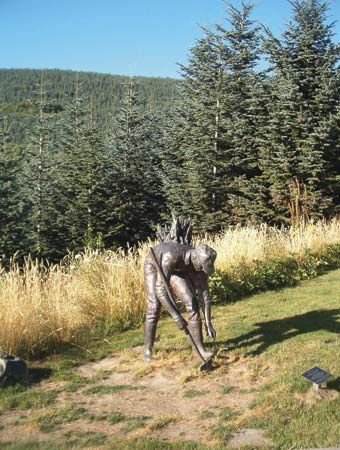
(18, 87)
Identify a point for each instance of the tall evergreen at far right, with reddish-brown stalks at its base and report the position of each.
(299, 155)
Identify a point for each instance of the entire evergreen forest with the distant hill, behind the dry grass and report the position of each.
(98, 160)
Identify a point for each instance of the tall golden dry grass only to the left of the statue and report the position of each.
(41, 307)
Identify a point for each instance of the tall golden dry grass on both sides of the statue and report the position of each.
(41, 307)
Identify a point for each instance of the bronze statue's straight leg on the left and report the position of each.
(152, 312)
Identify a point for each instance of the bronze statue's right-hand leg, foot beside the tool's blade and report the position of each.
(183, 289)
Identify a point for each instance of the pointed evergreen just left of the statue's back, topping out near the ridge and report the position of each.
(136, 202)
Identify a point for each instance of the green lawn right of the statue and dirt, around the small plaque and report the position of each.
(289, 331)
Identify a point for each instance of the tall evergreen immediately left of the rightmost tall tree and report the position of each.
(245, 107)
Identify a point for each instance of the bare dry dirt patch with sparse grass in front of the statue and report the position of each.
(123, 397)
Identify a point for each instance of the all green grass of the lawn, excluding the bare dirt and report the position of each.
(279, 335)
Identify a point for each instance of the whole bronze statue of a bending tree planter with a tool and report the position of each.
(185, 269)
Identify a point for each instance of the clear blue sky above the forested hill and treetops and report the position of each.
(129, 37)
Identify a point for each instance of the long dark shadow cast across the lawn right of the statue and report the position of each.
(276, 331)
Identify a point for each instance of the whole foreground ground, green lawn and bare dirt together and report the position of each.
(255, 396)
